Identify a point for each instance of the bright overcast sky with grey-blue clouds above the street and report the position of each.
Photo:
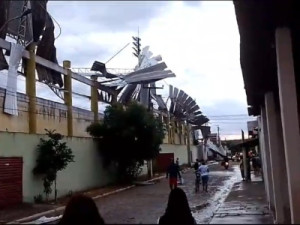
(198, 40)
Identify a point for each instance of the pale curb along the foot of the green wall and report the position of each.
(38, 215)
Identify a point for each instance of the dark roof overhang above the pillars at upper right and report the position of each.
(257, 21)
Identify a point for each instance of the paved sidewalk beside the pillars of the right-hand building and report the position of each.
(245, 204)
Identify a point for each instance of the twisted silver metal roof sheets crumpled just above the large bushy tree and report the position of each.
(133, 85)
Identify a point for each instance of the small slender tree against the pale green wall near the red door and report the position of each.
(53, 156)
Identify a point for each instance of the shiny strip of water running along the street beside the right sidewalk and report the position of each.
(204, 213)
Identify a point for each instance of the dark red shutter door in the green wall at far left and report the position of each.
(11, 169)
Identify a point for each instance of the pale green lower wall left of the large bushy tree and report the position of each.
(85, 173)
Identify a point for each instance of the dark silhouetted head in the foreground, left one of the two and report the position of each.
(81, 209)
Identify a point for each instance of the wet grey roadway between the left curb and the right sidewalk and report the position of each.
(145, 204)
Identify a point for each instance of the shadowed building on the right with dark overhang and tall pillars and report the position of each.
(270, 54)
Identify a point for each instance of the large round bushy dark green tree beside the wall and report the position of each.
(127, 137)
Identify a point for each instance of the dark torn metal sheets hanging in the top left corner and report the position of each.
(39, 28)
